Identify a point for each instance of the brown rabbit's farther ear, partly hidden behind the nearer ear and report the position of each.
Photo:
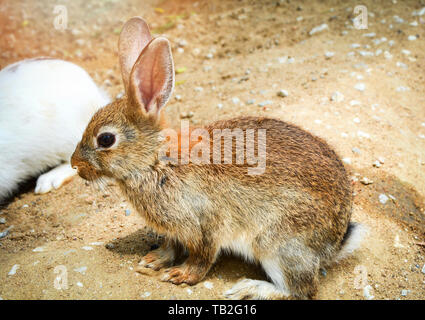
(134, 37)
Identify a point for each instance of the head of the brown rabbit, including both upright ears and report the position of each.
(130, 127)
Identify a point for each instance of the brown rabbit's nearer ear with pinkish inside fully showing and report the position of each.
(152, 77)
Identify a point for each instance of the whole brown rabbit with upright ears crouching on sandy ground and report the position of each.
(293, 219)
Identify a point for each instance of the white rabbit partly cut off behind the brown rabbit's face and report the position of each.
(45, 105)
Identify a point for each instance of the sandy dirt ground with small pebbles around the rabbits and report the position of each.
(232, 58)
